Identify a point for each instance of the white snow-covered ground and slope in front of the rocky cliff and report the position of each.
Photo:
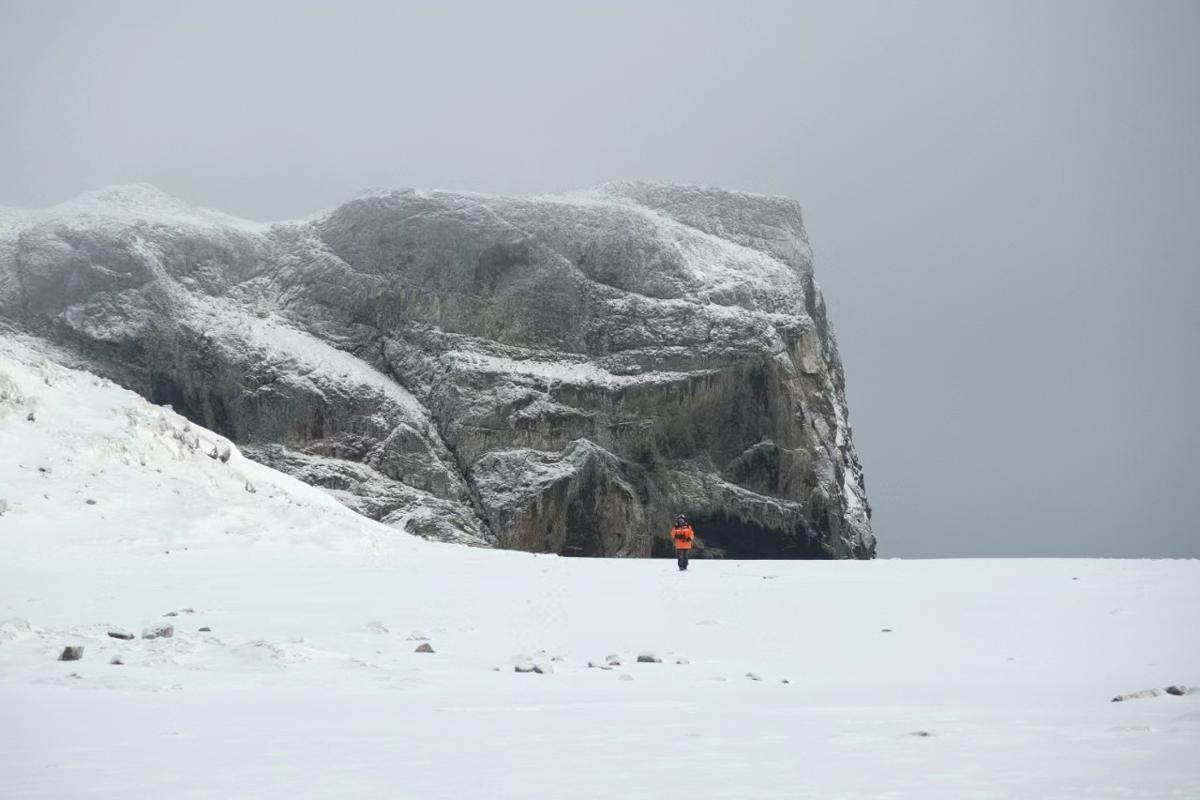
(993, 681)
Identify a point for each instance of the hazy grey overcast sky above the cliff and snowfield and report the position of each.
(1004, 199)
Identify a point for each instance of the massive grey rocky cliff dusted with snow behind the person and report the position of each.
(556, 375)
